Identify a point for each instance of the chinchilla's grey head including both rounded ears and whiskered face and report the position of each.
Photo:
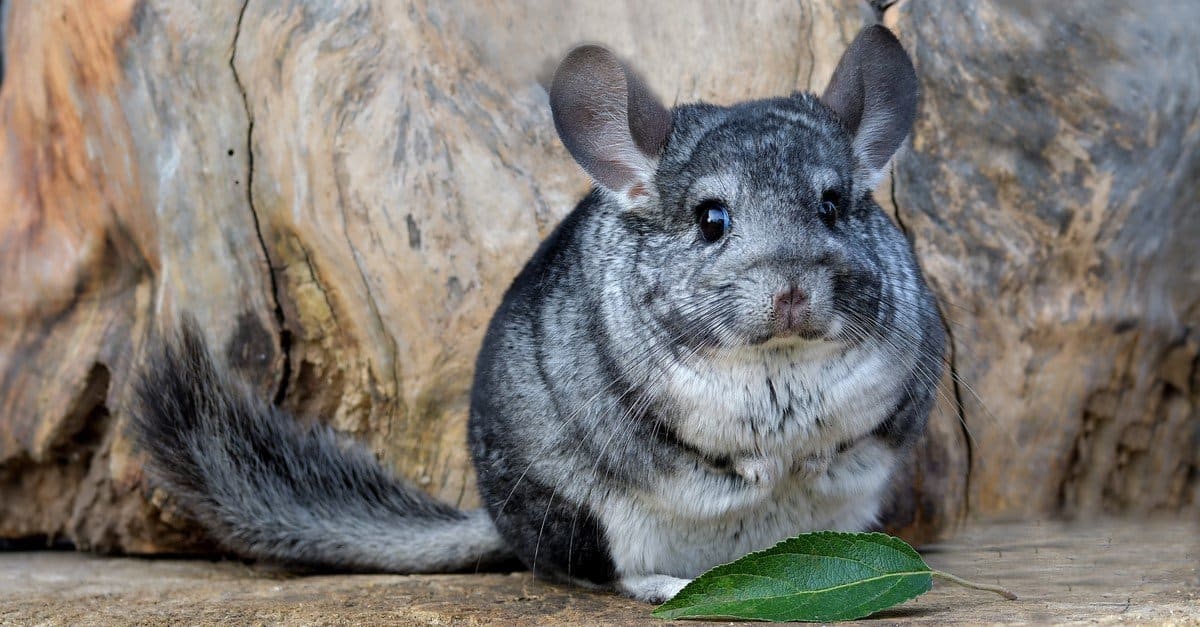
(752, 223)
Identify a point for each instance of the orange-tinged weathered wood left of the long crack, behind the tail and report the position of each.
(122, 202)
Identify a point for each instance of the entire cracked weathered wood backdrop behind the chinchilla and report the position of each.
(341, 194)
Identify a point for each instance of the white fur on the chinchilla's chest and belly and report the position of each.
(693, 521)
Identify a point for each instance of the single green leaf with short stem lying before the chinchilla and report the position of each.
(813, 577)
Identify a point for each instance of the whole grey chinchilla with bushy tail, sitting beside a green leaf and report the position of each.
(725, 344)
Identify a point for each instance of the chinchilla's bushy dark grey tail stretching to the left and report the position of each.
(267, 487)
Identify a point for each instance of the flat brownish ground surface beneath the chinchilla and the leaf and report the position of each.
(1111, 572)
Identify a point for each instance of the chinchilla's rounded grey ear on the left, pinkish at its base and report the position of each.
(609, 121)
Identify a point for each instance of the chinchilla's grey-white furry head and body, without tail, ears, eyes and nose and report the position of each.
(635, 380)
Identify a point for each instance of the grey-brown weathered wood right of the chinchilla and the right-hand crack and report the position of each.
(1052, 195)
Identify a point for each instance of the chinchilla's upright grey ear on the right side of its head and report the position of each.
(874, 92)
